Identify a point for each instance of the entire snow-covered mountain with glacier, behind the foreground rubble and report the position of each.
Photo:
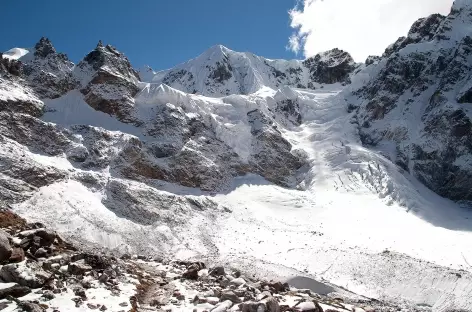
(289, 168)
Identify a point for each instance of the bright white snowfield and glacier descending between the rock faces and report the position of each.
(355, 220)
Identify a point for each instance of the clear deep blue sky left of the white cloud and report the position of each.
(160, 33)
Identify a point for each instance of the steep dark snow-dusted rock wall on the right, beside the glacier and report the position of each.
(419, 100)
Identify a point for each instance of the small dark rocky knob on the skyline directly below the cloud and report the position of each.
(330, 67)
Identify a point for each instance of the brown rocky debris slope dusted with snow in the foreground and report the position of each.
(42, 272)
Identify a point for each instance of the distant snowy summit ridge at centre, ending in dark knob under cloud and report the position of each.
(220, 71)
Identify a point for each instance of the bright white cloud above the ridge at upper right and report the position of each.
(361, 27)
